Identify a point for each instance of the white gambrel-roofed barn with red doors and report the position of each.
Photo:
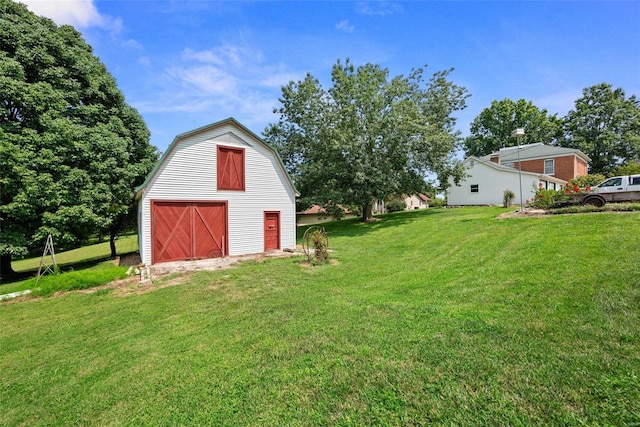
(218, 190)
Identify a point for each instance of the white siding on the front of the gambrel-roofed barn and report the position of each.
(188, 172)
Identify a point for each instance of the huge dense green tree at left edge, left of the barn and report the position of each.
(71, 149)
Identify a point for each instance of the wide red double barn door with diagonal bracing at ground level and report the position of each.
(188, 230)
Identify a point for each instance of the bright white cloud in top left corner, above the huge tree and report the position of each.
(79, 13)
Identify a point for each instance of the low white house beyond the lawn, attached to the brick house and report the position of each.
(487, 181)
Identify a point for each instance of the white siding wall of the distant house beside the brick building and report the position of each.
(491, 183)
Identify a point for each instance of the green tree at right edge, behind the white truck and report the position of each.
(605, 125)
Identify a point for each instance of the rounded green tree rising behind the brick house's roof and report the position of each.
(492, 128)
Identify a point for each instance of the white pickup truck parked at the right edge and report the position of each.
(613, 190)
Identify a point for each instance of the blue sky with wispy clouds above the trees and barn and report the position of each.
(185, 64)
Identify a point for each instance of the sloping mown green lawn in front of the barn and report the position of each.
(433, 317)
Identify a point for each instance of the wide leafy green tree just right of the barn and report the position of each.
(368, 136)
